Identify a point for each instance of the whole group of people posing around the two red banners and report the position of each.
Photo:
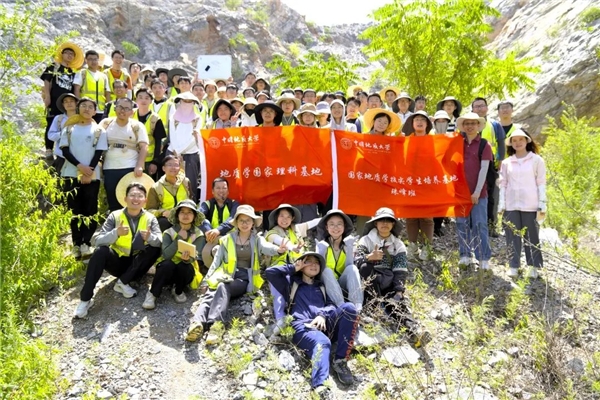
(138, 131)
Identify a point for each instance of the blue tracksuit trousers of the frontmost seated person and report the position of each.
(341, 327)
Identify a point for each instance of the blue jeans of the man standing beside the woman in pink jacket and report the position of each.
(473, 233)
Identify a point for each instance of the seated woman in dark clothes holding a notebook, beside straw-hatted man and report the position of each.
(179, 268)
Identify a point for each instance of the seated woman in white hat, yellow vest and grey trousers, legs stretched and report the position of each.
(234, 271)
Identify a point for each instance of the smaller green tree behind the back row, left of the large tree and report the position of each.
(313, 70)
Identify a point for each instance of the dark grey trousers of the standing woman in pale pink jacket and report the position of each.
(514, 222)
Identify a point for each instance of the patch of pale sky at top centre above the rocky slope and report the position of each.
(332, 12)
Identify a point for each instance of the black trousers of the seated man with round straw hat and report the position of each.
(127, 269)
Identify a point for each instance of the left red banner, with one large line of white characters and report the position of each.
(266, 167)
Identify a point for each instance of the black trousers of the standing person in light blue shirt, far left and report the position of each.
(82, 200)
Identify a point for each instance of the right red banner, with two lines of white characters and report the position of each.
(417, 177)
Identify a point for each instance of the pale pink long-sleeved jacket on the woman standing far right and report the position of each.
(522, 184)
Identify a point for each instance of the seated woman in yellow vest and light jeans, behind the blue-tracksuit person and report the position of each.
(337, 248)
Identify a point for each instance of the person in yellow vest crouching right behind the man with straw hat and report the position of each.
(172, 188)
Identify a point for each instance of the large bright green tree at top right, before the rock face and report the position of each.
(437, 48)
